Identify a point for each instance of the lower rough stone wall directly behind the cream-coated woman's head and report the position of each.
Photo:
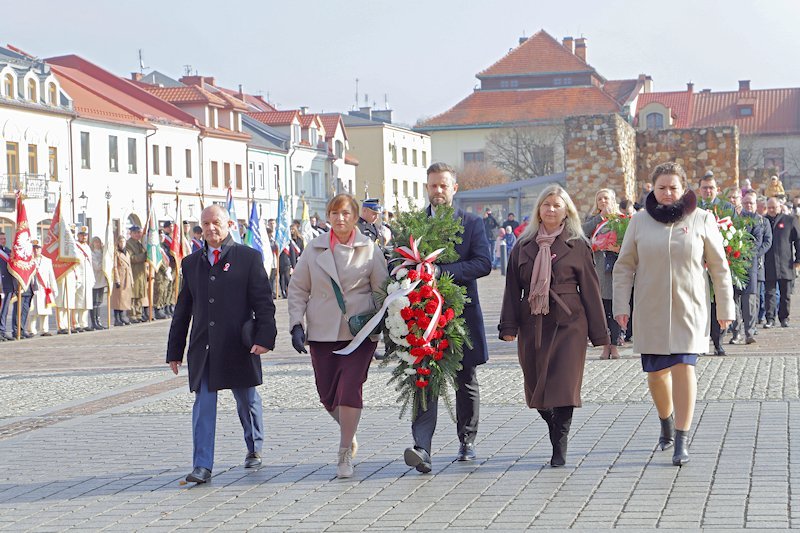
(697, 150)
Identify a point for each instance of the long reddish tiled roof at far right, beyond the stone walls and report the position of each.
(775, 111)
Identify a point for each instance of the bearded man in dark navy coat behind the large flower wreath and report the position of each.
(475, 262)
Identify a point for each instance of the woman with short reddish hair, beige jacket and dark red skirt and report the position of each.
(346, 260)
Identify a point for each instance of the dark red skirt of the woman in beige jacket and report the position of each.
(340, 377)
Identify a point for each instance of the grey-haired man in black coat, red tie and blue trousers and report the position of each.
(224, 287)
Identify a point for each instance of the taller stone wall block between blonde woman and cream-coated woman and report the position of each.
(600, 152)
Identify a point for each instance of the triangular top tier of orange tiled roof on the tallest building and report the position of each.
(539, 54)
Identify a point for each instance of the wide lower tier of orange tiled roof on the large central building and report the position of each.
(515, 107)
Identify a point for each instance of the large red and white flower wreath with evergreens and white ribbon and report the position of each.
(424, 331)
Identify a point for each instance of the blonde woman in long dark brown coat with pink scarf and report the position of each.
(552, 301)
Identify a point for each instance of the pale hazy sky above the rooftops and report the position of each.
(423, 54)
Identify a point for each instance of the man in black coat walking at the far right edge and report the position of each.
(780, 261)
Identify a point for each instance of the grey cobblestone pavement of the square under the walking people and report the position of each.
(95, 434)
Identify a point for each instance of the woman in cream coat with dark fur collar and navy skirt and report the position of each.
(664, 255)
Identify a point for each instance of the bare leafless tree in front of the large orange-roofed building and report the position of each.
(524, 152)
